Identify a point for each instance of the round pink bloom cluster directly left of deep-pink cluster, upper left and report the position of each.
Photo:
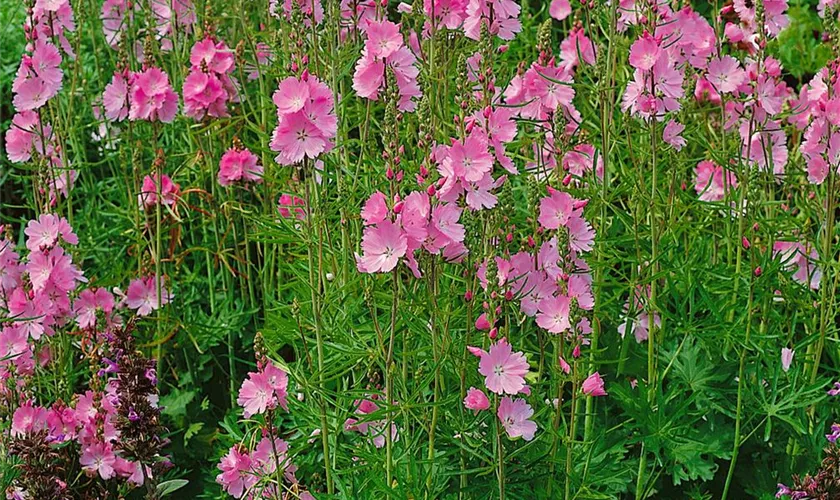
(152, 98)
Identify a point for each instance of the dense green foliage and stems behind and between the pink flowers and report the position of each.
(708, 398)
